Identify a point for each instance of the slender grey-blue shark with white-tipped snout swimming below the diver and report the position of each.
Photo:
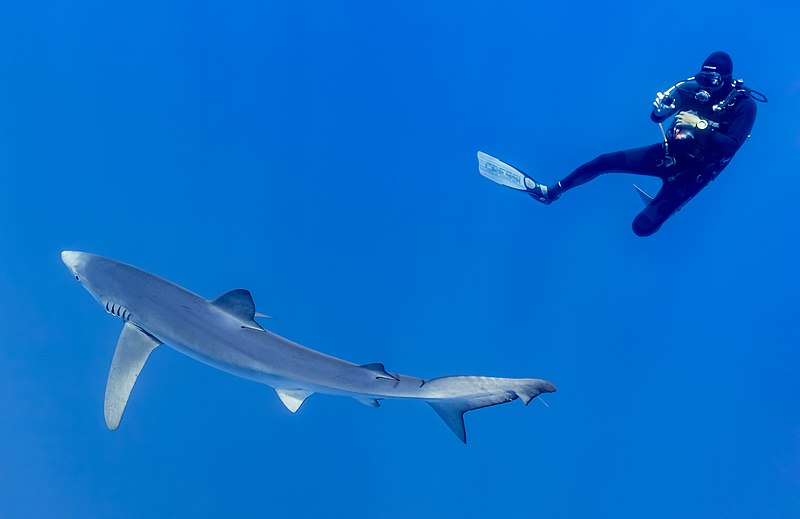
(224, 334)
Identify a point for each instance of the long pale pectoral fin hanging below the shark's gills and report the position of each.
(133, 348)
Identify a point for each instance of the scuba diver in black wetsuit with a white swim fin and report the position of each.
(713, 117)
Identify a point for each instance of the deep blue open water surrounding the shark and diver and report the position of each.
(322, 155)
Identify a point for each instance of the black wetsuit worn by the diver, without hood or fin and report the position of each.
(690, 164)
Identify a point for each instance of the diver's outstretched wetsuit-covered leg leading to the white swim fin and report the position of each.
(647, 160)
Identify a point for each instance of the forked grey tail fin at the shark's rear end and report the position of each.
(462, 394)
